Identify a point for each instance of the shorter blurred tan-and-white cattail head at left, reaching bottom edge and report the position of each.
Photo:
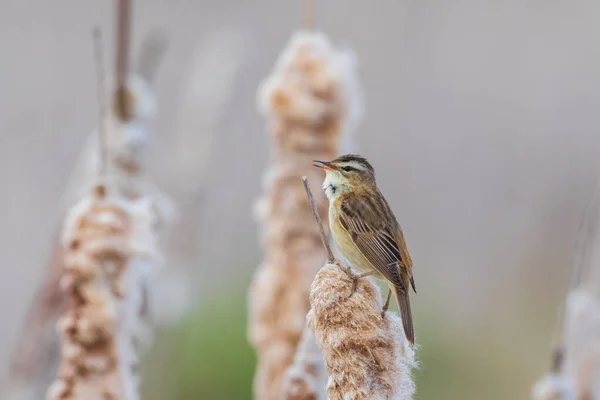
(106, 239)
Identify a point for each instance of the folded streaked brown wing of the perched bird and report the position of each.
(374, 233)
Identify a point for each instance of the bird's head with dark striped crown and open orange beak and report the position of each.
(345, 174)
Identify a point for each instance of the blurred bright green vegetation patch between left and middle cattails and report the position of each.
(207, 356)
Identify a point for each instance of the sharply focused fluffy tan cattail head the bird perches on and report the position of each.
(367, 356)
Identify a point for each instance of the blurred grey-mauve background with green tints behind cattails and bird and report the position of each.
(480, 118)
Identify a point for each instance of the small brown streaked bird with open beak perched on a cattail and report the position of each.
(366, 231)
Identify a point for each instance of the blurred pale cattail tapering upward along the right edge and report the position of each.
(575, 358)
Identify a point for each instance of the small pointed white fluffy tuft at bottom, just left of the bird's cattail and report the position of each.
(305, 378)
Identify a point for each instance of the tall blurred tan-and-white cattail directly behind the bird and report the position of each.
(310, 99)
